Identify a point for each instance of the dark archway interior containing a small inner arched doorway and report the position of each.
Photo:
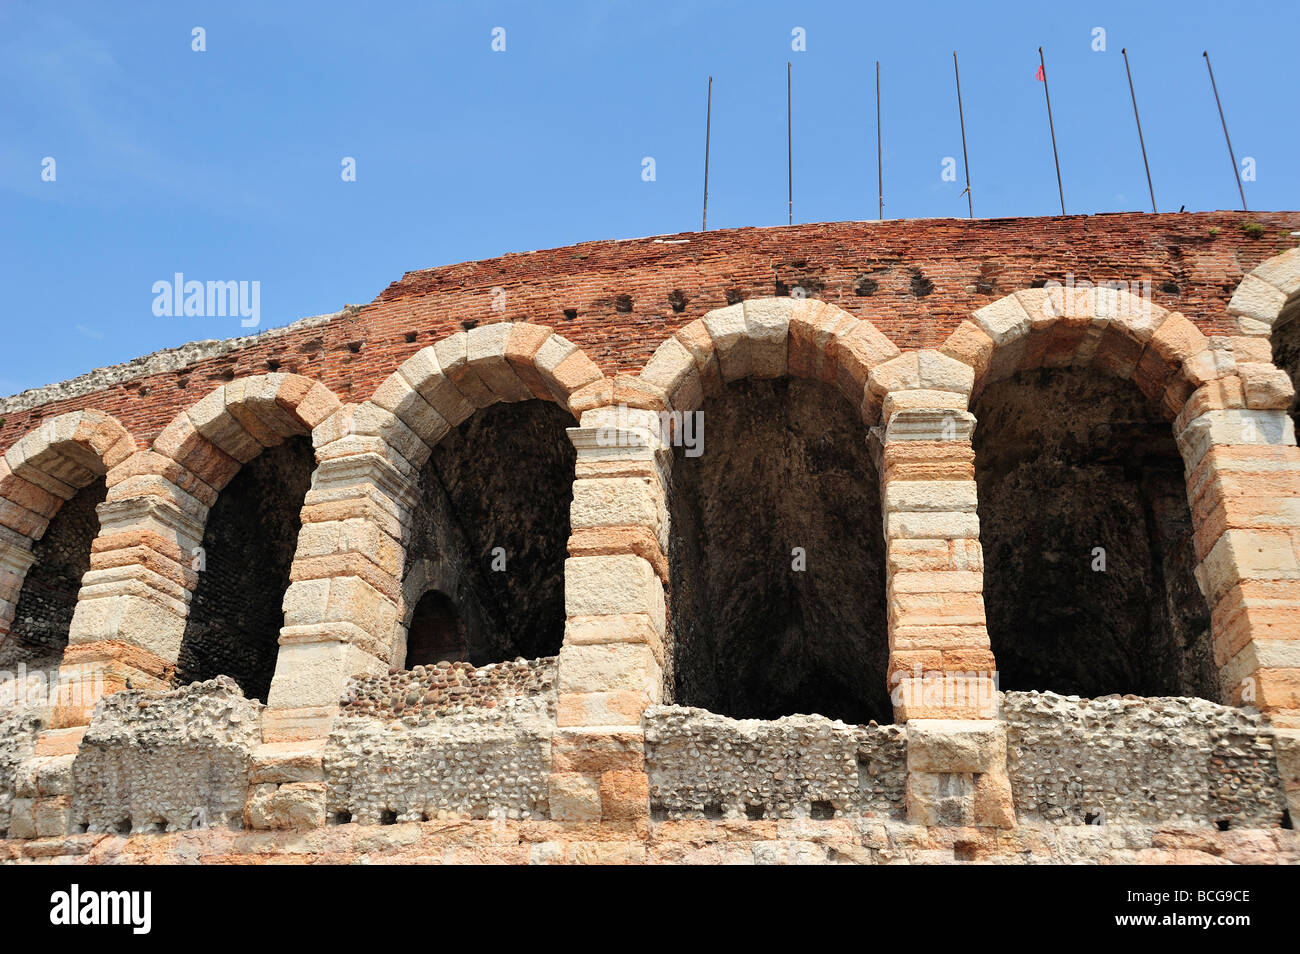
(495, 515)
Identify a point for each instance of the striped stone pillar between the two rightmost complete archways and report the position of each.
(942, 669)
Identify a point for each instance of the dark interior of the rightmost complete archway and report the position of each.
(1067, 463)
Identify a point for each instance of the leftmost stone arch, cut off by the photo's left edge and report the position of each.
(40, 475)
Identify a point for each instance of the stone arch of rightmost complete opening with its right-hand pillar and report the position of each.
(1228, 423)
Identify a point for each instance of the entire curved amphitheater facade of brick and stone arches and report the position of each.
(925, 541)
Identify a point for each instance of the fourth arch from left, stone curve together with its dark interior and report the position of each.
(791, 376)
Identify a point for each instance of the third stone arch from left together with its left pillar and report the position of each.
(346, 612)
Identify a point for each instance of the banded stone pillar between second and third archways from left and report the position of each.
(341, 608)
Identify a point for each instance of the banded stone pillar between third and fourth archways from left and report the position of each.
(612, 664)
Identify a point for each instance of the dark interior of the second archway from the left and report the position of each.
(248, 553)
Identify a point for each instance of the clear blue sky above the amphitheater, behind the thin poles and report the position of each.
(227, 164)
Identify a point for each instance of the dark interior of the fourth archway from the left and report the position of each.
(786, 465)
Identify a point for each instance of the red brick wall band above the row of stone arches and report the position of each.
(969, 264)
